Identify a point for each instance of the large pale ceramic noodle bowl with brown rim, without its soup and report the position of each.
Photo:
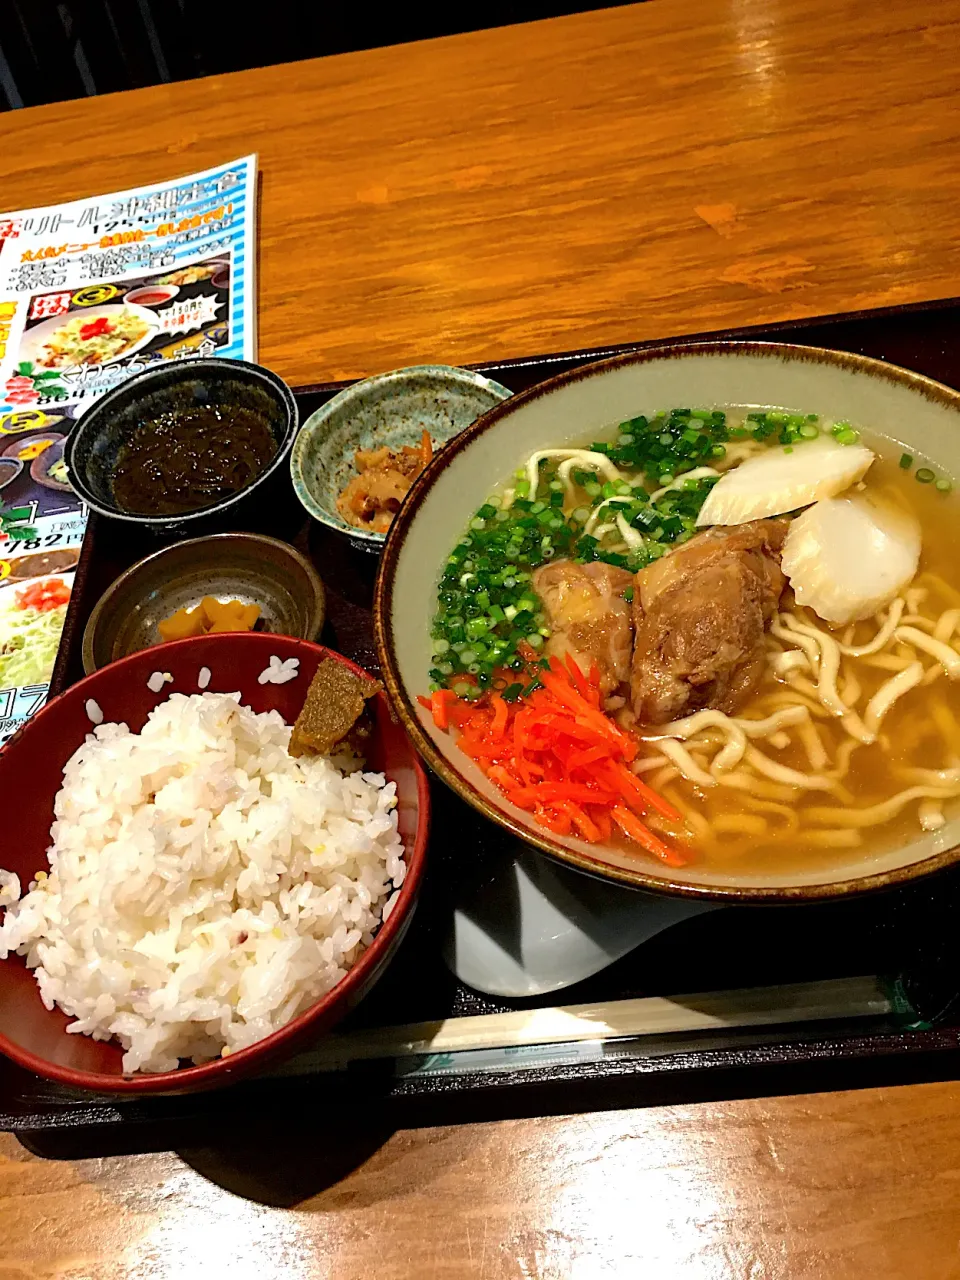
(899, 413)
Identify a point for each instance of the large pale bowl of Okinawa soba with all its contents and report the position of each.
(689, 620)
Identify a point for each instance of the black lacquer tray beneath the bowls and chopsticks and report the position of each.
(903, 943)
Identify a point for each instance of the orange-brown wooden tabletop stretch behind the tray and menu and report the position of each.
(642, 172)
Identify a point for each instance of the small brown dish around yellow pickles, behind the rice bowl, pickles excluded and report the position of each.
(246, 568)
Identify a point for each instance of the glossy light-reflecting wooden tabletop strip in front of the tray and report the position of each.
(825, 1187)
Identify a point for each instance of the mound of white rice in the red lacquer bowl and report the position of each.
(204, 888)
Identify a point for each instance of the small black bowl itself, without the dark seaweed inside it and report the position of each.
(94, 445)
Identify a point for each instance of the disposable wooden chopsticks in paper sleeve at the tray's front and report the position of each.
(605, 1021)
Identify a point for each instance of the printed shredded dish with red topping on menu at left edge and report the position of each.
(31, 621)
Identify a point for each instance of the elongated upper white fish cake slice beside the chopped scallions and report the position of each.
(778, 481)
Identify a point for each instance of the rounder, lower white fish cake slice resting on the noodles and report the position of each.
(848, 557)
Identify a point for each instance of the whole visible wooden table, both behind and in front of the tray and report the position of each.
(620, 176)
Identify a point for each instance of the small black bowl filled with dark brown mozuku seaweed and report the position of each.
(179, 446)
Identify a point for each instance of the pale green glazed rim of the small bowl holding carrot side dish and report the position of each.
(321, 422)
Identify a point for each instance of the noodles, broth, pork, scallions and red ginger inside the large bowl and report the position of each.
(743, 611)
